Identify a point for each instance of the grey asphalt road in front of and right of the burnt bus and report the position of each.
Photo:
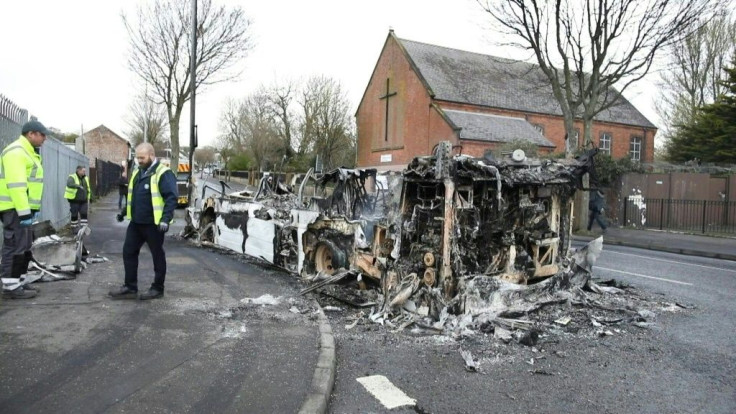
(686, 363)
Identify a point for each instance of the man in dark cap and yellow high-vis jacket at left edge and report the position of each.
(21, 188)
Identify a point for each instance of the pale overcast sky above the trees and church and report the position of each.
(66, 61)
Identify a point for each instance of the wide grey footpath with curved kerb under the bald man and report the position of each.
(229, 336)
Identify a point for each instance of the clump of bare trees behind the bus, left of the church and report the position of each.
(287, 122)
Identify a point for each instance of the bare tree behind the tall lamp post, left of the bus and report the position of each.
(160, 51)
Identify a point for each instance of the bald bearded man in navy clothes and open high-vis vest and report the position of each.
(152, 197)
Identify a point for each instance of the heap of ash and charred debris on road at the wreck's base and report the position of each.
(570, 303)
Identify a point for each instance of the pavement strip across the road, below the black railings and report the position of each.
(666, 241)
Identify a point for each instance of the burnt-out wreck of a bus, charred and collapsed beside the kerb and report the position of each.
(453, 243)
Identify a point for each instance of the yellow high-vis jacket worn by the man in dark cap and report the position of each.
(21, 177)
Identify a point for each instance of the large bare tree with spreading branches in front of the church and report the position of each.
(586, 48)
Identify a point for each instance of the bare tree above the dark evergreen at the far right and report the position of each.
(694, 76)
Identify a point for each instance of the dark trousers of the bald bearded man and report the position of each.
(136, 235)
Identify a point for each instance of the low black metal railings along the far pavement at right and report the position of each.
(698, 216)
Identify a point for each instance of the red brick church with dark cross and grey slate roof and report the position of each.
(420, 94)
